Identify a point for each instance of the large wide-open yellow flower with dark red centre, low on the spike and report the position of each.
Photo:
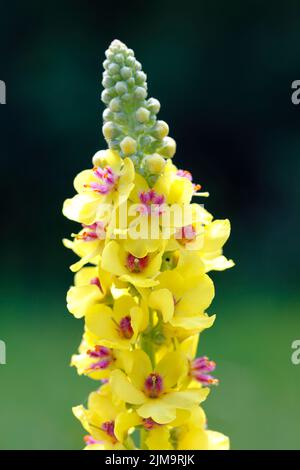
(156, 391)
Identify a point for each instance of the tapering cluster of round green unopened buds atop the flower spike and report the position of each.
(130, 119)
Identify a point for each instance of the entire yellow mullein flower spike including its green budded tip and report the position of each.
(141, 282)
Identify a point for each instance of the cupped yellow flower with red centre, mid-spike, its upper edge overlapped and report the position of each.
(140, 272)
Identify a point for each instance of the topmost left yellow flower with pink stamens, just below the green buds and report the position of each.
(105, 185)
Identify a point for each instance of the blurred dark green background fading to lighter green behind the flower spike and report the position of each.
(223, 73)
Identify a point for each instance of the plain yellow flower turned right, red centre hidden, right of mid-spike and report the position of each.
(183, 303)
